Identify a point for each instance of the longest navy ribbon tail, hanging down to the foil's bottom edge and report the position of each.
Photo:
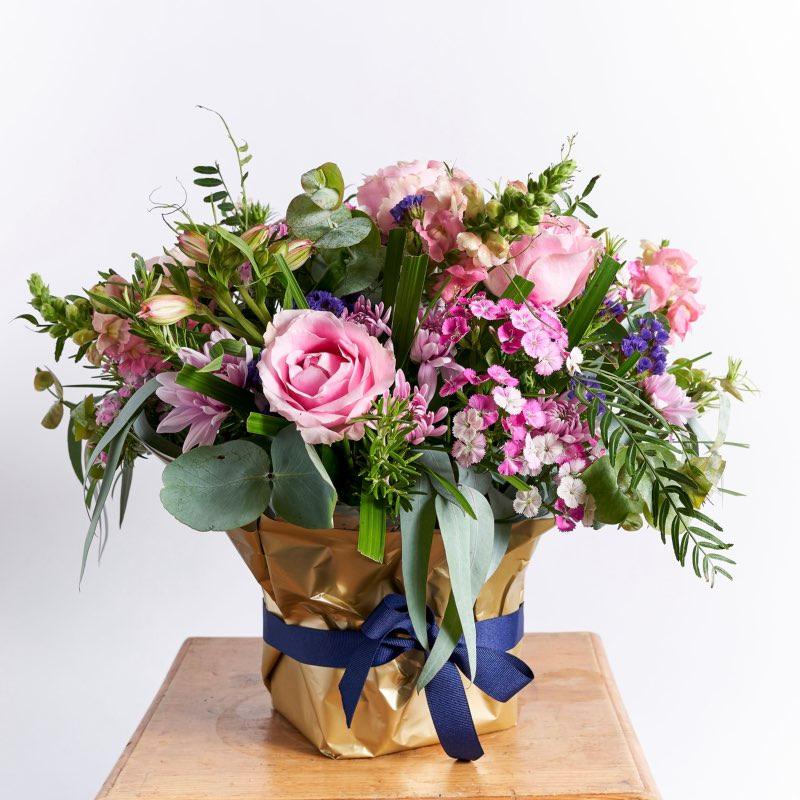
(447, 702)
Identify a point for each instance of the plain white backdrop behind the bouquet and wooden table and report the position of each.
(689, 110)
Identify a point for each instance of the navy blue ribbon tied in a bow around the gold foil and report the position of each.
(384, 635)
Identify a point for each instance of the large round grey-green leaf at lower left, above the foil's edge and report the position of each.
(217, 488)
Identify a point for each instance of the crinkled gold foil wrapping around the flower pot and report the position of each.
(317, 578)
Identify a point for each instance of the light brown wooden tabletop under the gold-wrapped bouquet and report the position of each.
(211, 734)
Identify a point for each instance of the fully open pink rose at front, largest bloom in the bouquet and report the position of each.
(322, 373)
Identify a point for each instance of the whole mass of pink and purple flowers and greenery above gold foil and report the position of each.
(421, 350)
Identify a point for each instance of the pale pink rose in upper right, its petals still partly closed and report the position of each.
(558, 260)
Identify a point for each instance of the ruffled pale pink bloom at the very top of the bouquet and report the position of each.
(443, 190)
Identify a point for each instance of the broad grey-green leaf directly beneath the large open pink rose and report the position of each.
(302, 492)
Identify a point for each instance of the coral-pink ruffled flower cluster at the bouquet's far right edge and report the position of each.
(666, 273)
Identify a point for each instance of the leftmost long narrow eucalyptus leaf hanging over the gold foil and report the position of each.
(417, 524)
